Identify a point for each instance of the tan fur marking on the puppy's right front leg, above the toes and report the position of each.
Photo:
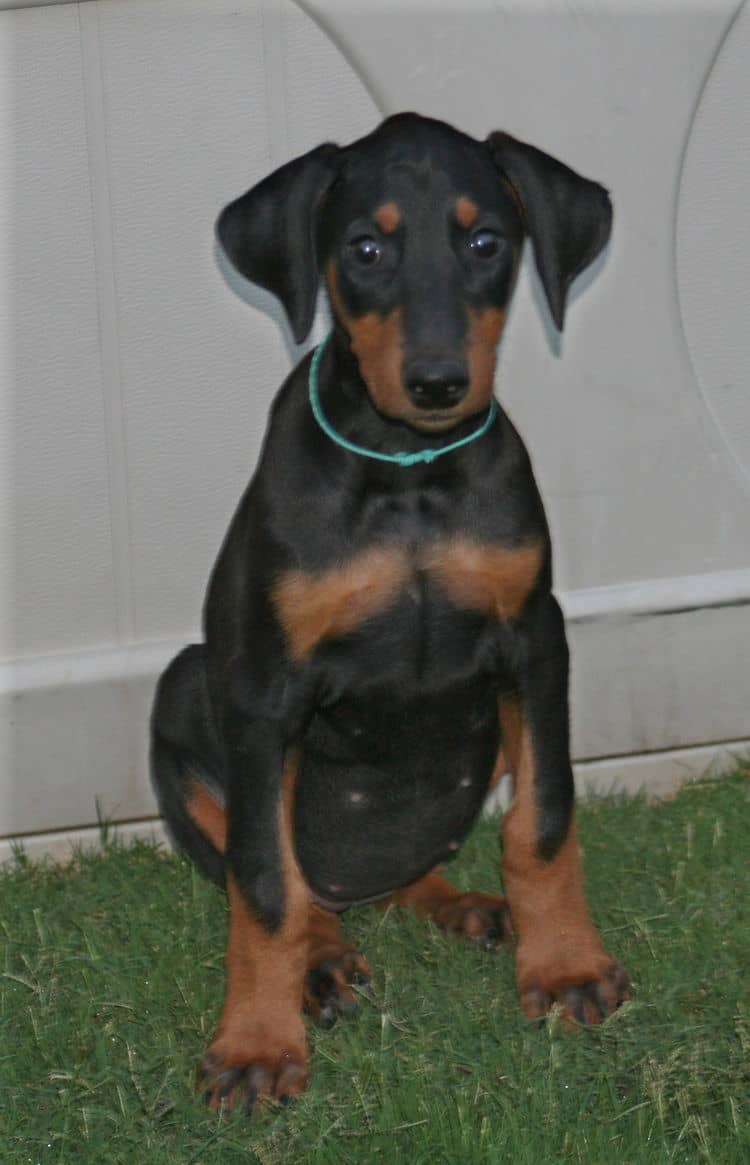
(557, 942)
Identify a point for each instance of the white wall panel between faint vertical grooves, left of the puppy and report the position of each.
(185, 93)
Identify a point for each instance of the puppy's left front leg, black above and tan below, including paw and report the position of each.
(260, 1047)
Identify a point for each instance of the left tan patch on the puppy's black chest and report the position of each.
(316, 608)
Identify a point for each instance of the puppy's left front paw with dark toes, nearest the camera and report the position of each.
(228, 1085)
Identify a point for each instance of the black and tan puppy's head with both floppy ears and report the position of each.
(418, 230)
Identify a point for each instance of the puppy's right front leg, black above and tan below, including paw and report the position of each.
(560, 956)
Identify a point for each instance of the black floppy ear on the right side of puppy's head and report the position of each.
(569, 218)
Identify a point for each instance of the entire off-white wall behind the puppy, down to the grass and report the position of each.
(135, 382)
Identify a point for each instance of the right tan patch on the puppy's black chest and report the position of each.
(493, 580)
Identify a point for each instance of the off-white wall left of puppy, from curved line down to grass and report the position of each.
(136, 383)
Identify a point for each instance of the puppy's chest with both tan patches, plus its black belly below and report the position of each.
(397, 765)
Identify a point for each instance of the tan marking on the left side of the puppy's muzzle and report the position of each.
(378, 343)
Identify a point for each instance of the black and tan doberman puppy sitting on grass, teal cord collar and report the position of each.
(380, 619)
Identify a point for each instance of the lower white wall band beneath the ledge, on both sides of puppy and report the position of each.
(657, 666)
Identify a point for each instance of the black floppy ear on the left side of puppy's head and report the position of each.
(270, 234)
